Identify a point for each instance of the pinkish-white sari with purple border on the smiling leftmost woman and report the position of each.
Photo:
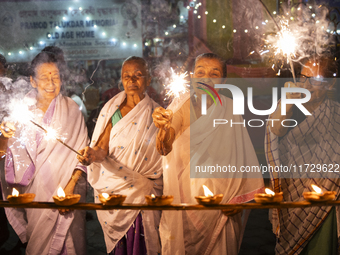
(39, 166)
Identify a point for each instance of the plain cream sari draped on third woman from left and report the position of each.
(197, 232)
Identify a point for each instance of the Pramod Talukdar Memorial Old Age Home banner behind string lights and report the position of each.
(85, 30)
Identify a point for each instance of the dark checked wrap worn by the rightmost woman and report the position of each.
(314, 141)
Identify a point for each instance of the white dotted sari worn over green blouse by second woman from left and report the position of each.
(132, 168)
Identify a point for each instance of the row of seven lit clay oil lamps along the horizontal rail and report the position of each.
(208, 199)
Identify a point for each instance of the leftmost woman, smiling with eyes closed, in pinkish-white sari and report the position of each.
(35, 165)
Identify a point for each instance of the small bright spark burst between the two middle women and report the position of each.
(178, 84)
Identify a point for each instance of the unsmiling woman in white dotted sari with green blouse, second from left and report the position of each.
(125, 161)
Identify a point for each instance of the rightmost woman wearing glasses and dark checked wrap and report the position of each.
(312, 144)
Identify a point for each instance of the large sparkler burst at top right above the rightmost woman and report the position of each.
(300, 35)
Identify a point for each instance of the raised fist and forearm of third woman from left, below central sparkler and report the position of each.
(166, 134)
